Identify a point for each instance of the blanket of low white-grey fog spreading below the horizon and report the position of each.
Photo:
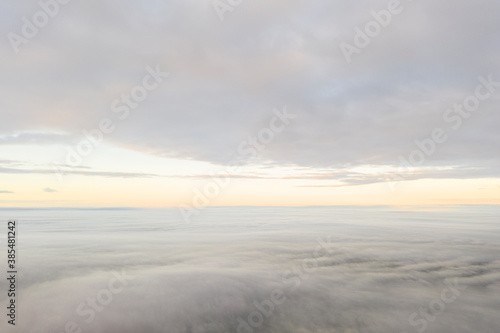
(372, 274)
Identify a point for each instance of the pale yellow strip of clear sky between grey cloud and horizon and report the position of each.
(181, 182)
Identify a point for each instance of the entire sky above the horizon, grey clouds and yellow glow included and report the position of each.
(191, 103)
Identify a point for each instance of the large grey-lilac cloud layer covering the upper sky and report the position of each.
(226, 77)
